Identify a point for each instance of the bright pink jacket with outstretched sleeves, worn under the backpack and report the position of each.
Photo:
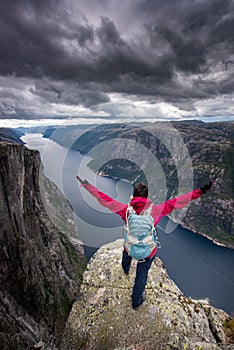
(140, 203)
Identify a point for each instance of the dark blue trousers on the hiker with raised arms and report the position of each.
(141, 276)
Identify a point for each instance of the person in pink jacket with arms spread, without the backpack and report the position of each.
(141, 203)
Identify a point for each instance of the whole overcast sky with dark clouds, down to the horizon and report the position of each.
(116, 60)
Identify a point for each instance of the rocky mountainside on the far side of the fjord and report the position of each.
(173, 158)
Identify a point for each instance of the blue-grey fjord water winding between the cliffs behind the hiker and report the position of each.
(199, 267)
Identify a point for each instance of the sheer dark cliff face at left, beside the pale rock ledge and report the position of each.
(40, 270)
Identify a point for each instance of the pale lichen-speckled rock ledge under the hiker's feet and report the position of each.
(103, 317)
